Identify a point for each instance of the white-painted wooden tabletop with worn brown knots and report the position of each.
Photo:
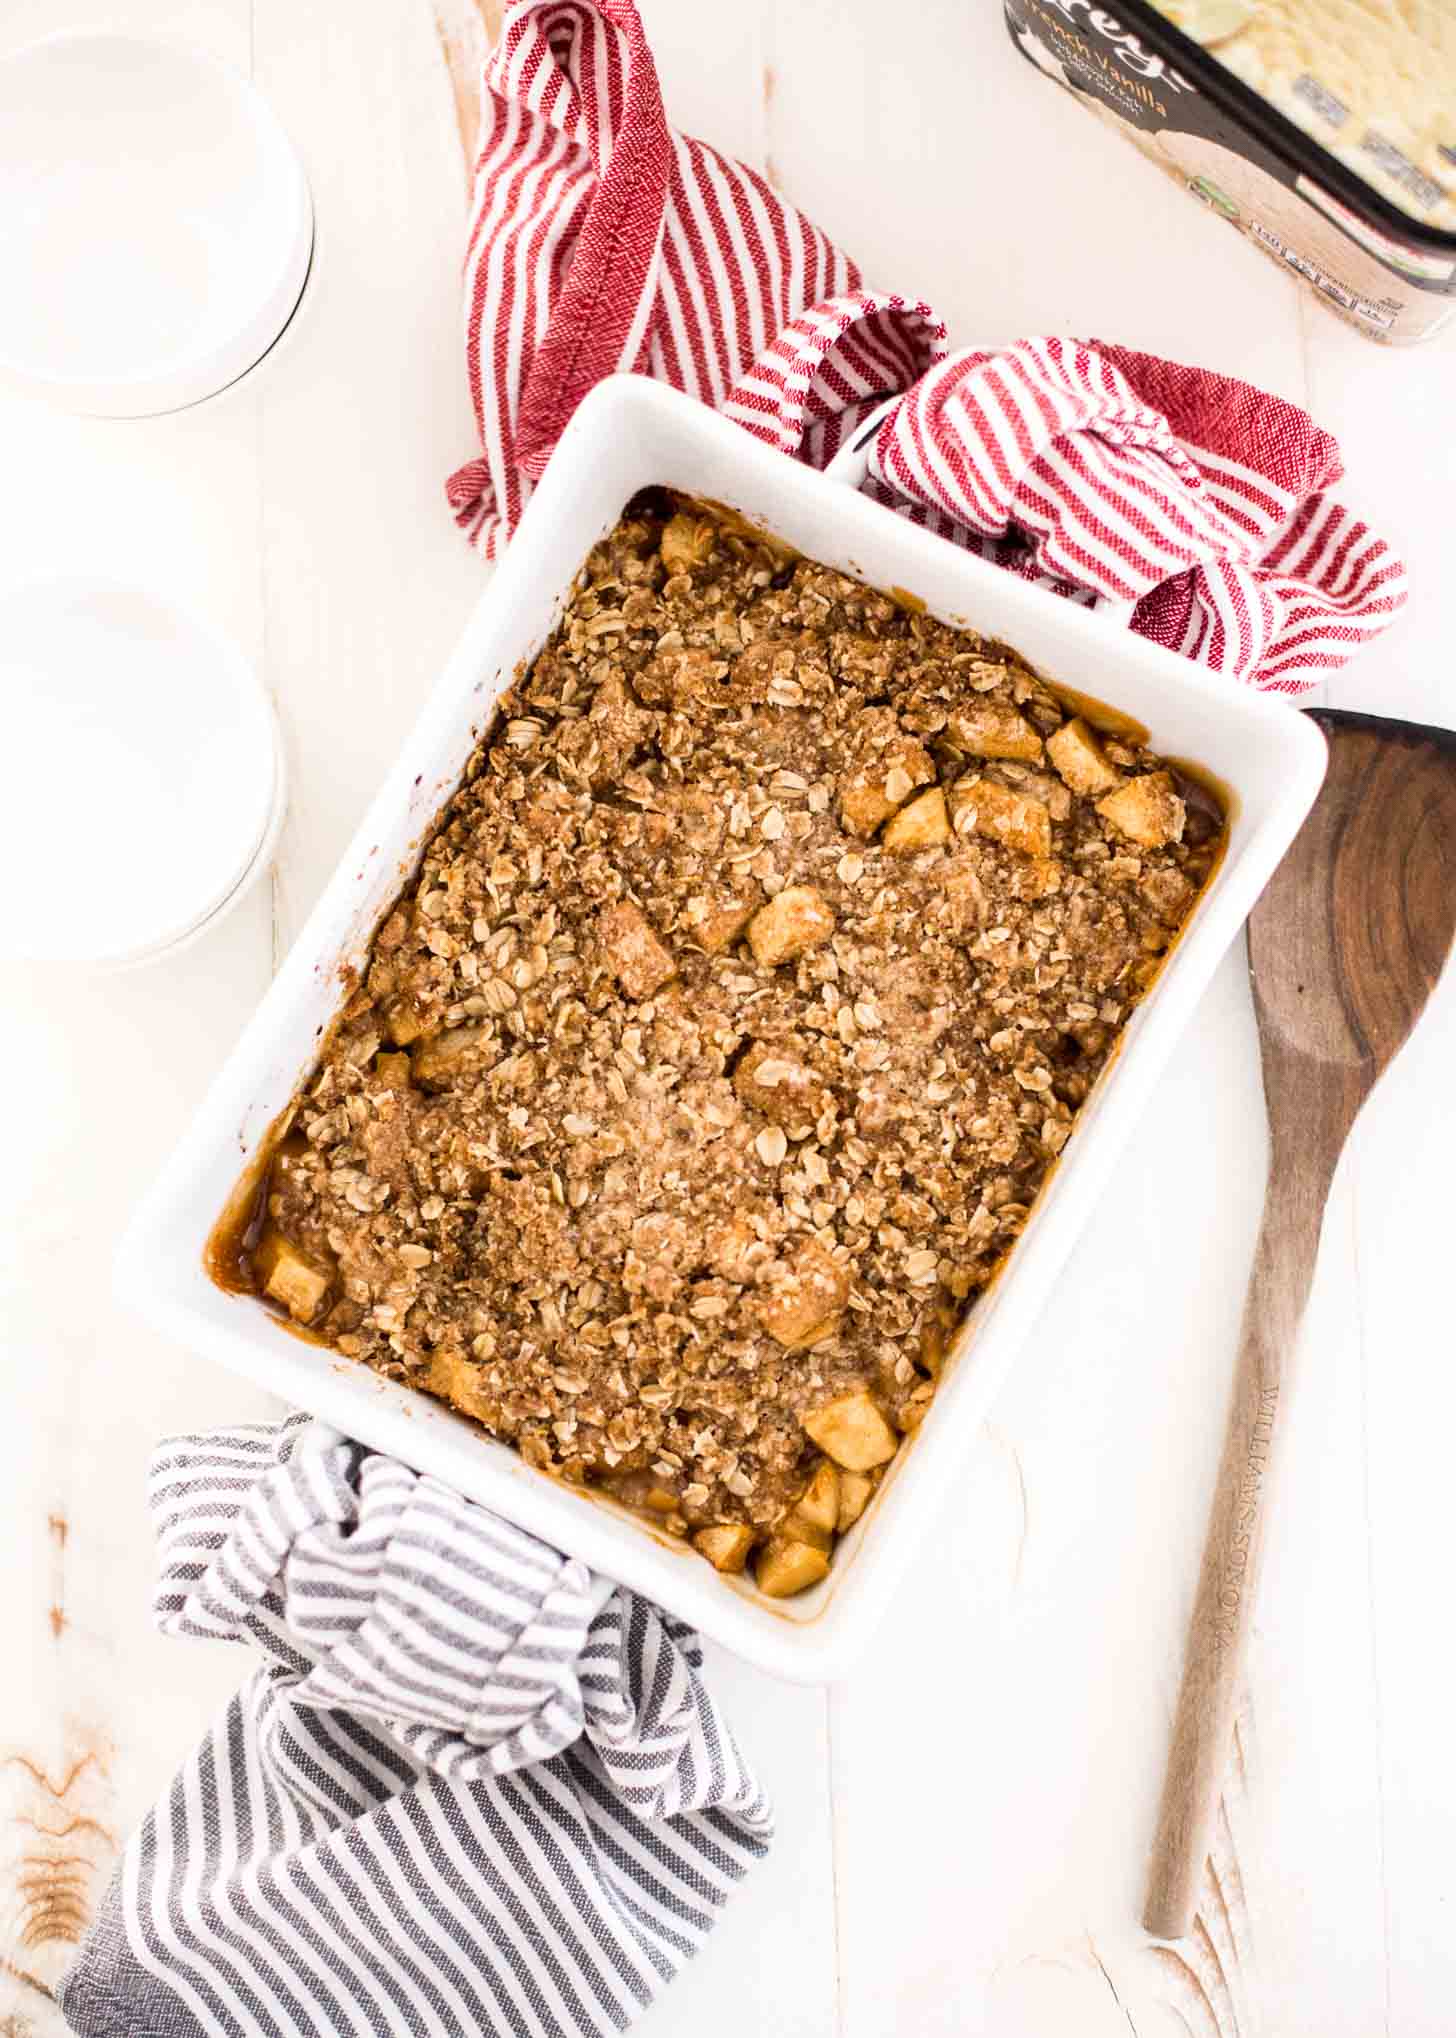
(964, 1825)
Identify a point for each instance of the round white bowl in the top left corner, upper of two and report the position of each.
(156, 225)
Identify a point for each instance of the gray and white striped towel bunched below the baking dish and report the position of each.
(470, 1790)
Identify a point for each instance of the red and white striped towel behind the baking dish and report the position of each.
(605, 242)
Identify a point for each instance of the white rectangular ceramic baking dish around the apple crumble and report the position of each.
(627, 435)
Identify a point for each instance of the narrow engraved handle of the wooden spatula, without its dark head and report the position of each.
(1225, 1607)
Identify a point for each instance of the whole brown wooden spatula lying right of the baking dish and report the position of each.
(1345, 949)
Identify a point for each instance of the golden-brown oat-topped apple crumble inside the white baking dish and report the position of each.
(717, 1053)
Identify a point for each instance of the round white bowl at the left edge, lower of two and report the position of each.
(140, 773)
